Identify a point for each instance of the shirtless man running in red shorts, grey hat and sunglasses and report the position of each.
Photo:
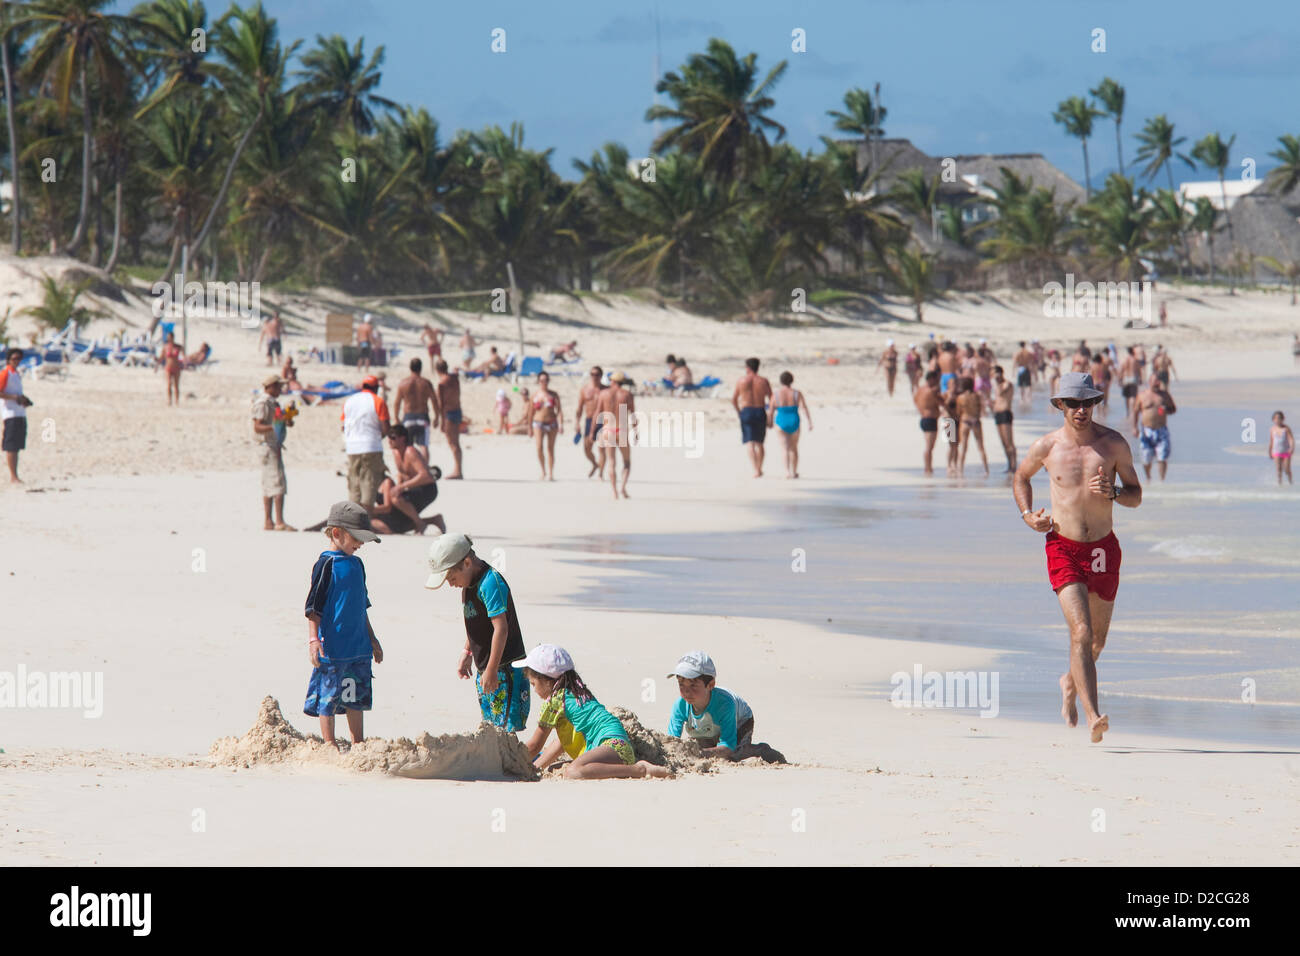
(1082, 460)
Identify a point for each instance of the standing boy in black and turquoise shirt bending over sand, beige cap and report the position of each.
(493, 637)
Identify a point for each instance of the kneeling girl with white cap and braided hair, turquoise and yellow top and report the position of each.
(595, 738)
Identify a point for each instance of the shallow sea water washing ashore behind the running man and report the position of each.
(1208, 609)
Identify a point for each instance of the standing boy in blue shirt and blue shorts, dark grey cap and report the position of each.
(341, 641)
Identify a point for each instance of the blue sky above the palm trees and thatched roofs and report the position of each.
(956, 76)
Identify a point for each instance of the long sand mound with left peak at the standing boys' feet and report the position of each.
(487, 755)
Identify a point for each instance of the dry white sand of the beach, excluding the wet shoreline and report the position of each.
(103, 577)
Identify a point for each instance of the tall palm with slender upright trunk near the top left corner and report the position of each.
(75, 37)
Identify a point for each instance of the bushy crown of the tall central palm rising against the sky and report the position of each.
(721, 114)
